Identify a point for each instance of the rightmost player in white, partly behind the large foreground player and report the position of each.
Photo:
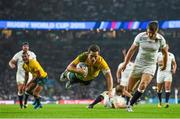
(165, 77)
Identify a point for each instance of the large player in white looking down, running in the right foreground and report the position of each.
(148, 43)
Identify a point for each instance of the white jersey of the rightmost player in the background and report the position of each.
(170, 59)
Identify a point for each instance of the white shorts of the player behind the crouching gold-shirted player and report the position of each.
(20, 77)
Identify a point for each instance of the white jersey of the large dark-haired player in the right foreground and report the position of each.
(148, 49)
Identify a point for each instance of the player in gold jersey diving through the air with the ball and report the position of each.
(95, 64)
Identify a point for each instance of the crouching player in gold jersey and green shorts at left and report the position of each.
(35, 86)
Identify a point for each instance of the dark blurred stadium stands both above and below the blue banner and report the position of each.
(56, 48)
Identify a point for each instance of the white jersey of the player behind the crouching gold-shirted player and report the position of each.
(18, 57)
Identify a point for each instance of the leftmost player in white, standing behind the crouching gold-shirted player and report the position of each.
(17, 61)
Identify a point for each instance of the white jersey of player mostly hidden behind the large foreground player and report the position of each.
(125, 74)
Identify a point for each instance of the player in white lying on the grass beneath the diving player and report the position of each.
(117, 100)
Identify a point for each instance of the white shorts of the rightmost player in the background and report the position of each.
(163, 76)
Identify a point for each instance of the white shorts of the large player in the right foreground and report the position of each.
(139, 70)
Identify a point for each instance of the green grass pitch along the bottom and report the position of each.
(80, 111)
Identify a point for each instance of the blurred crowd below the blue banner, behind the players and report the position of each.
(56, 49)
